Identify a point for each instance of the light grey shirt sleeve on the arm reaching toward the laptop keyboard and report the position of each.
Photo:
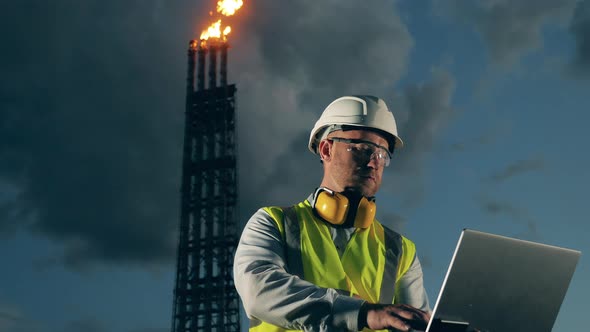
(271, 294)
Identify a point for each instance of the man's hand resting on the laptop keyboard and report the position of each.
(392, 316)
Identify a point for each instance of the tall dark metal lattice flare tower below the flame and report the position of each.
(205, 298)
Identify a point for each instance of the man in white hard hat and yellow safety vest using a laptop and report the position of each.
(326, 264)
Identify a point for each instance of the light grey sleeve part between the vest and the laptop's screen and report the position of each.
(410, 288)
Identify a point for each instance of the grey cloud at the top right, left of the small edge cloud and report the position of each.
(510, 29)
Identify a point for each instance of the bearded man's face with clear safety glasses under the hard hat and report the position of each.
(347, 168)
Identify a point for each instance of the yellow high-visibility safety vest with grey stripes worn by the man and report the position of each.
(374, 259)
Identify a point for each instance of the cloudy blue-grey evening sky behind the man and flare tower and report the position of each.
(491, 100)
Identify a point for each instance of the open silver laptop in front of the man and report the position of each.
(500, 284)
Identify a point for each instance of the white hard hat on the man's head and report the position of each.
(356, 111)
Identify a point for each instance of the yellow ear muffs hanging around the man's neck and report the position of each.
(334, 208)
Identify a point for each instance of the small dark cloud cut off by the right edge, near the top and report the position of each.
(580, 29)
